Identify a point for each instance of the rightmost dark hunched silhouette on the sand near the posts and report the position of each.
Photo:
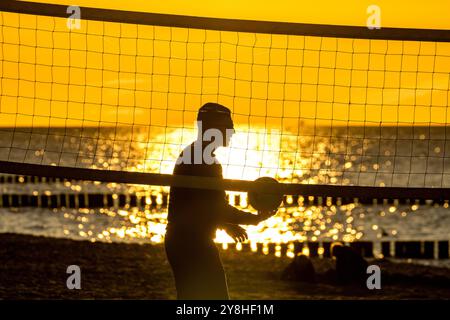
(350, 265)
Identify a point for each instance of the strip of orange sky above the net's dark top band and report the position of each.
(431, 14)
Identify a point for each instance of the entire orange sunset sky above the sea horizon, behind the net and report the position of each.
(109, 73)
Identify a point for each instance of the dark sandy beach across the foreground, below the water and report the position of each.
(35, 268)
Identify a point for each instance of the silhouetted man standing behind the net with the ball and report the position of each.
(195, 214)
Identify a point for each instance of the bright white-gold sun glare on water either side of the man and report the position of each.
(252, 154)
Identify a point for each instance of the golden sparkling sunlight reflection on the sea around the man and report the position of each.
(251, 155)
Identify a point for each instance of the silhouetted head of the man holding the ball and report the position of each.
(213, 120)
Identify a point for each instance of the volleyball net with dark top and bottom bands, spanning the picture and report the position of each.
(326, 110)
